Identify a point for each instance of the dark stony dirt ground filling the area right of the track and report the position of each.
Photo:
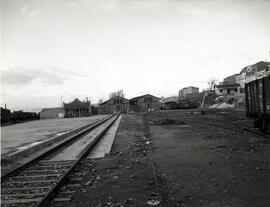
(175, 158)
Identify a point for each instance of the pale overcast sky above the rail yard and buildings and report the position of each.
(89, 48)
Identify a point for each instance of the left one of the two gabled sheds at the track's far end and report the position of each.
(114, 105)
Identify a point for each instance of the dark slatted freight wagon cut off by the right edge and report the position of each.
(257, 94)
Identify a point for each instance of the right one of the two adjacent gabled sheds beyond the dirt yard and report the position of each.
(144, 103)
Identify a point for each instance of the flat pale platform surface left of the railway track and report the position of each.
(25, 135)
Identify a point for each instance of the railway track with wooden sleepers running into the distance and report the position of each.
(37, 182)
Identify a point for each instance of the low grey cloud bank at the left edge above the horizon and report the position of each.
(20, 76)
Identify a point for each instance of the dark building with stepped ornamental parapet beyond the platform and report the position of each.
(77, 108)
